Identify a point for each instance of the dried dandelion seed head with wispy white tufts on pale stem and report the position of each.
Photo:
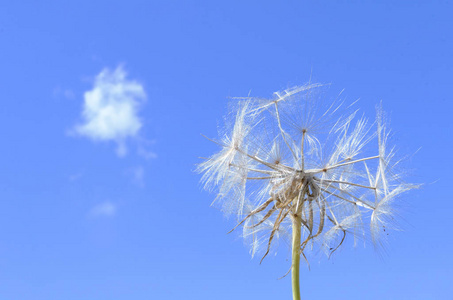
(297, 167)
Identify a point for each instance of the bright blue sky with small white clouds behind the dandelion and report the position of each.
(99, 199)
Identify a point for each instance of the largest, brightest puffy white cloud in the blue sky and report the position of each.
(110, 111)
